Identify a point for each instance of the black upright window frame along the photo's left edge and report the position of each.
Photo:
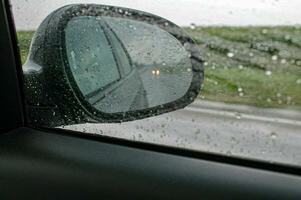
(11, 100)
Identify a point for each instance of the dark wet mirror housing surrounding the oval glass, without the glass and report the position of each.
(53, 97)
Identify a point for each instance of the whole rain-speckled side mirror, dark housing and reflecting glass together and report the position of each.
(94, 63)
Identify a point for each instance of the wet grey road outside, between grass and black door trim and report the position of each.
(272, 135)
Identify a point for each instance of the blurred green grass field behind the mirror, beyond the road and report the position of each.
(258, 66)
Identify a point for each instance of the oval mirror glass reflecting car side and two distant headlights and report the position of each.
(122, 65)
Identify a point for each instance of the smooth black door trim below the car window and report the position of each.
(46, 165)
